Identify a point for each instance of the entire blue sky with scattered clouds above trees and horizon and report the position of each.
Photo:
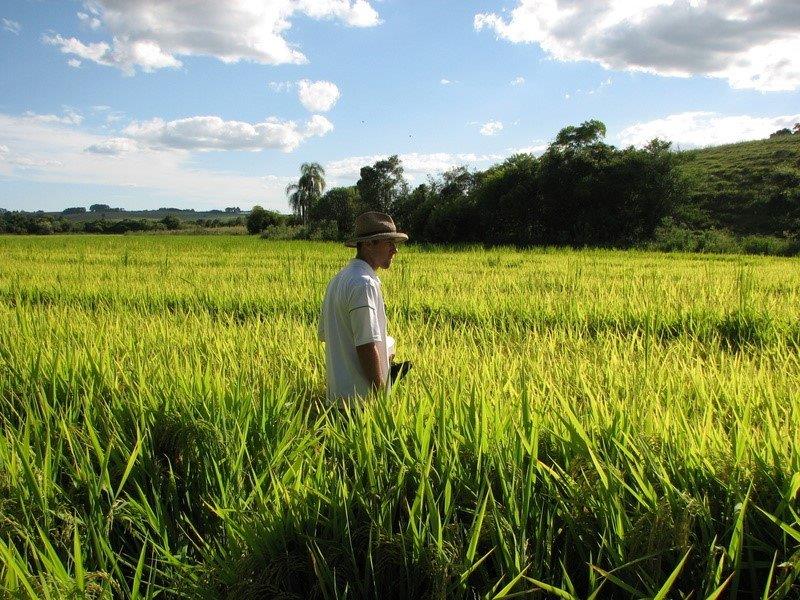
(144, 103)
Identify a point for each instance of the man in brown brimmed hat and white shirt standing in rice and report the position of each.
(353, 321)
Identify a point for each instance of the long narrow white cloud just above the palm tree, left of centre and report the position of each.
(205, 133)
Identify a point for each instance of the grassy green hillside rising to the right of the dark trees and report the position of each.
(748, 188)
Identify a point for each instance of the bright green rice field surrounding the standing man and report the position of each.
(577, 424)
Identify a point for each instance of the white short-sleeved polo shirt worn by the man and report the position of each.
(353, 314)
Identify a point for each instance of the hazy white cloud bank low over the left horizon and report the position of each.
(52, 152)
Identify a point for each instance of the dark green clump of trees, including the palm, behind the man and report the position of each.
(581, 191)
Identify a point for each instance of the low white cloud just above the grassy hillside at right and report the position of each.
(699, 129)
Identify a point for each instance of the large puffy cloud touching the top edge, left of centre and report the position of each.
(153, 34)
